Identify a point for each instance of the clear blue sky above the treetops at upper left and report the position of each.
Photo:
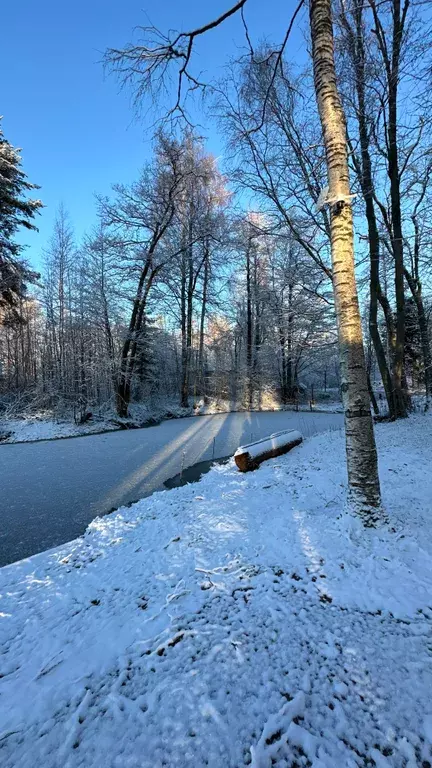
(77, 131)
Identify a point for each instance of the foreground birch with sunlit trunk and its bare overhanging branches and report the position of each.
(146, 64)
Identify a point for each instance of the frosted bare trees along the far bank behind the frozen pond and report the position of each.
(174, 294)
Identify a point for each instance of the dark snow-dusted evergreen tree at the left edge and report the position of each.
(15, 211)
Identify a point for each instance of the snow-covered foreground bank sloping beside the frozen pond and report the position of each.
(243, 620)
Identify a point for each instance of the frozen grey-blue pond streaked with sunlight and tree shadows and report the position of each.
(50, 491)
